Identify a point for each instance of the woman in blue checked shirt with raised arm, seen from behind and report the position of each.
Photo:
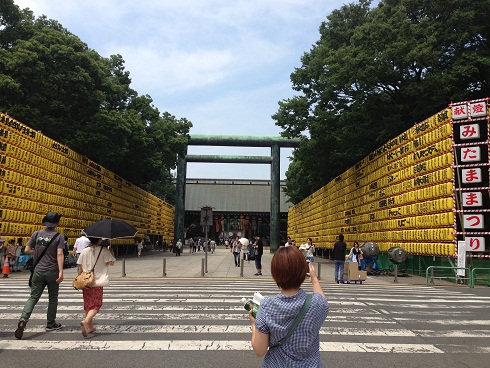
(277, 314)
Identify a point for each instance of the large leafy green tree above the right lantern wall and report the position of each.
(375, 72)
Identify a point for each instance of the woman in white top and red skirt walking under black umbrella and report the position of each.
(98, 258)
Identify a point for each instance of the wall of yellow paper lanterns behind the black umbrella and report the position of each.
(38, 175)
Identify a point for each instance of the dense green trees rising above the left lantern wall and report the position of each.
(53, 82)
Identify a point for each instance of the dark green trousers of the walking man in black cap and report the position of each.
(39, 282)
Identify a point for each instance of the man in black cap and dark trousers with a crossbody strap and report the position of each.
(47, 246)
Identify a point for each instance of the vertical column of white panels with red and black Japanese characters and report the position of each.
(471, 144)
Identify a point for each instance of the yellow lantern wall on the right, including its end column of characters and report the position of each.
(424, 190)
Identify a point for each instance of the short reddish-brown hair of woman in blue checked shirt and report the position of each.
(288, 268)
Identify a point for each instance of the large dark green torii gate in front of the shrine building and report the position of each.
(234, 141)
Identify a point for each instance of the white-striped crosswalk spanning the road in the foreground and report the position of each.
(382, 319)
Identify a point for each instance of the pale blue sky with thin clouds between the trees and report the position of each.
(222, 64)
